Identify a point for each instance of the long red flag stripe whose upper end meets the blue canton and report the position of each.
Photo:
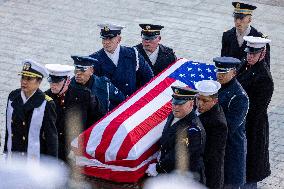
(115, 123)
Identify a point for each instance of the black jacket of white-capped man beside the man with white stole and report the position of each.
(77, 110)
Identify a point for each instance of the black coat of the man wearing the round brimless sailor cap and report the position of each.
(215, 125)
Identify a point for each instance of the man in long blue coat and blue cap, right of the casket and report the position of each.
(234, 101)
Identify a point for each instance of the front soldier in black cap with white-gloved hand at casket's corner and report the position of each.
(183, 138)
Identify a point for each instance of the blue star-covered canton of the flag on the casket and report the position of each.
(192, 72)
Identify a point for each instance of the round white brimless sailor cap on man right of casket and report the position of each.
(207, 87)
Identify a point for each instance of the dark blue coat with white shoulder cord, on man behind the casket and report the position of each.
(128, 75)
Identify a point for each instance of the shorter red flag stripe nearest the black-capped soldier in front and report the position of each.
(142, 129)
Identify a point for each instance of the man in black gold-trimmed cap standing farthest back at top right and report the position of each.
(233, 44)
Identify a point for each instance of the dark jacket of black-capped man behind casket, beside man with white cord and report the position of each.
(166, 56)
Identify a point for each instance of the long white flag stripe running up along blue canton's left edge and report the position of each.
(97, 132)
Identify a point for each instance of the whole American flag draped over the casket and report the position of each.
(121, 145)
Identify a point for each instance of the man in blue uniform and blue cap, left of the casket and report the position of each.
(108, 95)
